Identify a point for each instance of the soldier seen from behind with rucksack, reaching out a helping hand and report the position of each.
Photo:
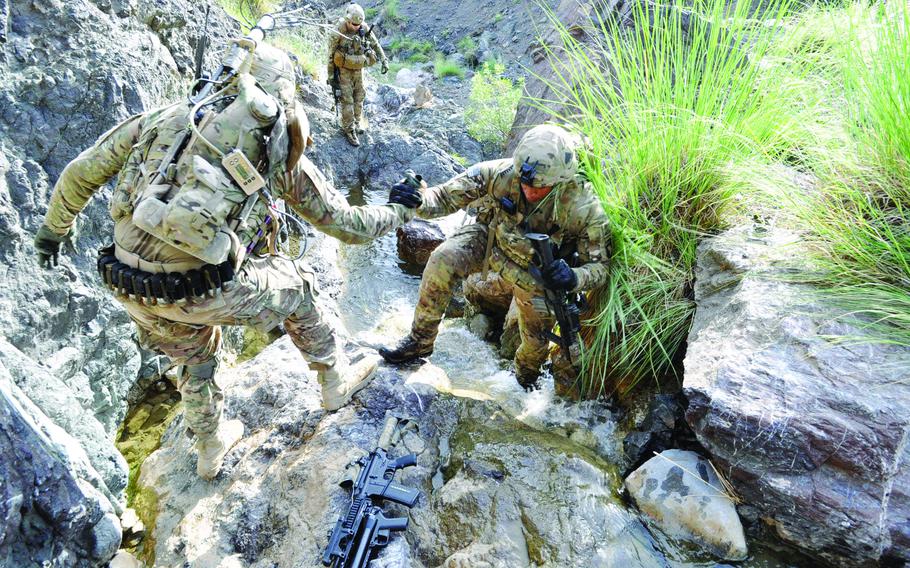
(166, 279)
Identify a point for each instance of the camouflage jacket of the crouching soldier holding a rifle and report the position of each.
(572, 215)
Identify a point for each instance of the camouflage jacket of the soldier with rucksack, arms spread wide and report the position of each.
(121, 151)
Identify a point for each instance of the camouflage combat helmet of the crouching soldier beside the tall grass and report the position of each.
(545, 156)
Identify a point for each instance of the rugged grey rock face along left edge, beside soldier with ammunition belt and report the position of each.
(70, 71)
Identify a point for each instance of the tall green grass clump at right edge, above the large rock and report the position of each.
(859, 220)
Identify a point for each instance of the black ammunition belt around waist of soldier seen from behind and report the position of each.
(167, 287)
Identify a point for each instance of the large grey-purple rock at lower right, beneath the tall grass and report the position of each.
(812, 433)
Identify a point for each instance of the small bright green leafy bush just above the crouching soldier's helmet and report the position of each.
(491, 105)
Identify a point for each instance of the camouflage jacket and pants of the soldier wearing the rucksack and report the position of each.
(267, 290)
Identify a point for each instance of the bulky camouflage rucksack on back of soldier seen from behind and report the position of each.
(239, 141)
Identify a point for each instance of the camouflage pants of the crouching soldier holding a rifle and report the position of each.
(460, 255)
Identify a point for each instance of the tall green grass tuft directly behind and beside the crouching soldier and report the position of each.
(667, 104)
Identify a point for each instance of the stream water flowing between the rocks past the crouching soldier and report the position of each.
(378, 298)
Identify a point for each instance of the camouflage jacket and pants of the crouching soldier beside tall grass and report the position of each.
(572, 216)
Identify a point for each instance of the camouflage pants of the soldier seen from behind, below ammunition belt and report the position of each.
(266, 292)
